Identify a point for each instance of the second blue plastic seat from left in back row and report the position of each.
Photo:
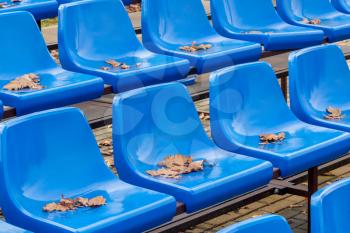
(111, 36)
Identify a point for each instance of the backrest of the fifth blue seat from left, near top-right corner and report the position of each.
(296, 10)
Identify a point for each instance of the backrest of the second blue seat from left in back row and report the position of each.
(95, 30)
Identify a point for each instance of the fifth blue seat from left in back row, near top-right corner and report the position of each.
(335, 24)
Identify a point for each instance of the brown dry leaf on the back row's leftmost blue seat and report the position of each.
(27, 81)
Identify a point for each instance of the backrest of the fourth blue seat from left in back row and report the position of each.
(241, 15)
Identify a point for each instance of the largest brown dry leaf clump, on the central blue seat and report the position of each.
(176, 165)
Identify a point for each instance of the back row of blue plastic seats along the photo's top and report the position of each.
(158, 60)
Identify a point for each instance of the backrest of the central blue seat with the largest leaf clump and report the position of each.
(154, 122)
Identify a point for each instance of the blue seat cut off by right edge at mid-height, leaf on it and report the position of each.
(319, 78)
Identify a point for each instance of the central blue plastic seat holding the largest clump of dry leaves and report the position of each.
(152, 123)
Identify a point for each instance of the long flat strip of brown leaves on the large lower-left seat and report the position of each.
(66, 204)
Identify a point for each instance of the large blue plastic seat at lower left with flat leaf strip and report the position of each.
(64, 159)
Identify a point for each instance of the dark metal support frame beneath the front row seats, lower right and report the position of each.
(279, 186)
